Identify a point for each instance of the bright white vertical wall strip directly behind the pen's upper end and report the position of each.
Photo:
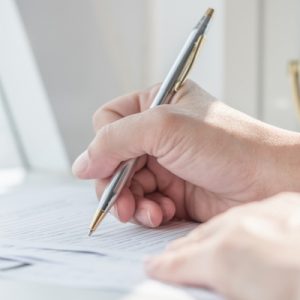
(171, 22)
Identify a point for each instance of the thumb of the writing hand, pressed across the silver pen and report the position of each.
(150, 132)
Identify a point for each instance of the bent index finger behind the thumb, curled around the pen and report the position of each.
(123, 106)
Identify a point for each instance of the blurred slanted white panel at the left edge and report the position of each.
(30, 140)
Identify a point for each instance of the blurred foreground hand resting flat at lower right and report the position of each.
(248, 253)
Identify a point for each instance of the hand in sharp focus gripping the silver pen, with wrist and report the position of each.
(198, 156)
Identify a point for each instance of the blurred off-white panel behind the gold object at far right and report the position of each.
(280, 43)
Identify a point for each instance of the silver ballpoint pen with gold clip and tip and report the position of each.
(172, 83)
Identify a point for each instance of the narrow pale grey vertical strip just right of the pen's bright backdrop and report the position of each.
(242, 71)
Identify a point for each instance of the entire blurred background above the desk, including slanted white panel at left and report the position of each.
(62, 59)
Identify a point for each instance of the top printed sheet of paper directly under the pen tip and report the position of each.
(60, 219)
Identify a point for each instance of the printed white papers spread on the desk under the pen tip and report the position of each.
(44, 238)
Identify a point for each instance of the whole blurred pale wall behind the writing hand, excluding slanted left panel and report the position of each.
(91, 51)
